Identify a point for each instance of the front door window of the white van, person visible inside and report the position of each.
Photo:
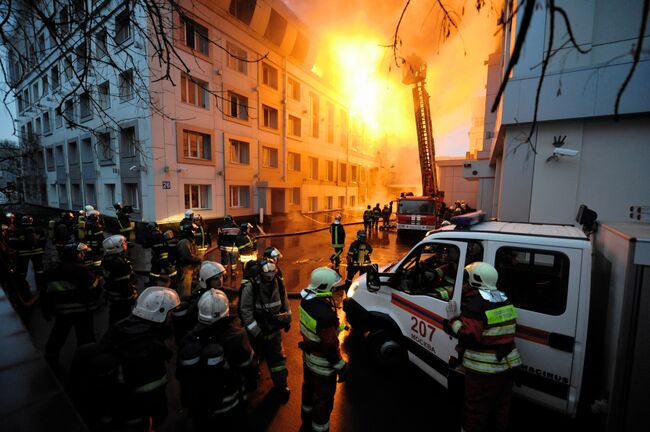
(431, 270)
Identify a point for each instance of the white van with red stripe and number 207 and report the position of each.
(543, 269)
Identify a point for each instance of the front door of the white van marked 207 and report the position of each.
(424, 283)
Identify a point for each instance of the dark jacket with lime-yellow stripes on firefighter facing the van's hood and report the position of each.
(319, 326)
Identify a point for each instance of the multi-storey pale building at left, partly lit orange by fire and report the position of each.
(241, 125)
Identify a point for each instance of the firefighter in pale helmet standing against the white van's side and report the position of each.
(486, 330)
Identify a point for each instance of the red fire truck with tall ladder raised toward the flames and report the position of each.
(420, 212)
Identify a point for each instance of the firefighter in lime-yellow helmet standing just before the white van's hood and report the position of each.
(322, 362)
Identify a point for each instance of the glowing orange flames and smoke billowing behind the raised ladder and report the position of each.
(354, 56)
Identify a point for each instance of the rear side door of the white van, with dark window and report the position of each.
(544, 284)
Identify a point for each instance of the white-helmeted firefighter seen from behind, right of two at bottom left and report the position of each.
(216, 367)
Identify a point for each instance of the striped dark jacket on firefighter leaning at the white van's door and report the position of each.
(486, 333)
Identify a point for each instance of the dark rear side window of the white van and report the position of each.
(535, 280)
